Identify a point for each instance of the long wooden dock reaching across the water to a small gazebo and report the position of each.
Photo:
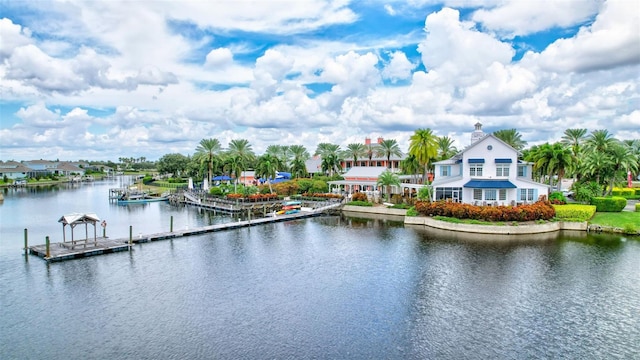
(61, 251)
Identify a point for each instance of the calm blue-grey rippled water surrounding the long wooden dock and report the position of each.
(326, 288)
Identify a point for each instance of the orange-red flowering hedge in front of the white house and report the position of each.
(541, 210)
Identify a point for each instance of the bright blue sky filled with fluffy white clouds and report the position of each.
(100, 80)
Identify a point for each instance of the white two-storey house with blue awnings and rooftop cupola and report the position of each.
(487, 172)
